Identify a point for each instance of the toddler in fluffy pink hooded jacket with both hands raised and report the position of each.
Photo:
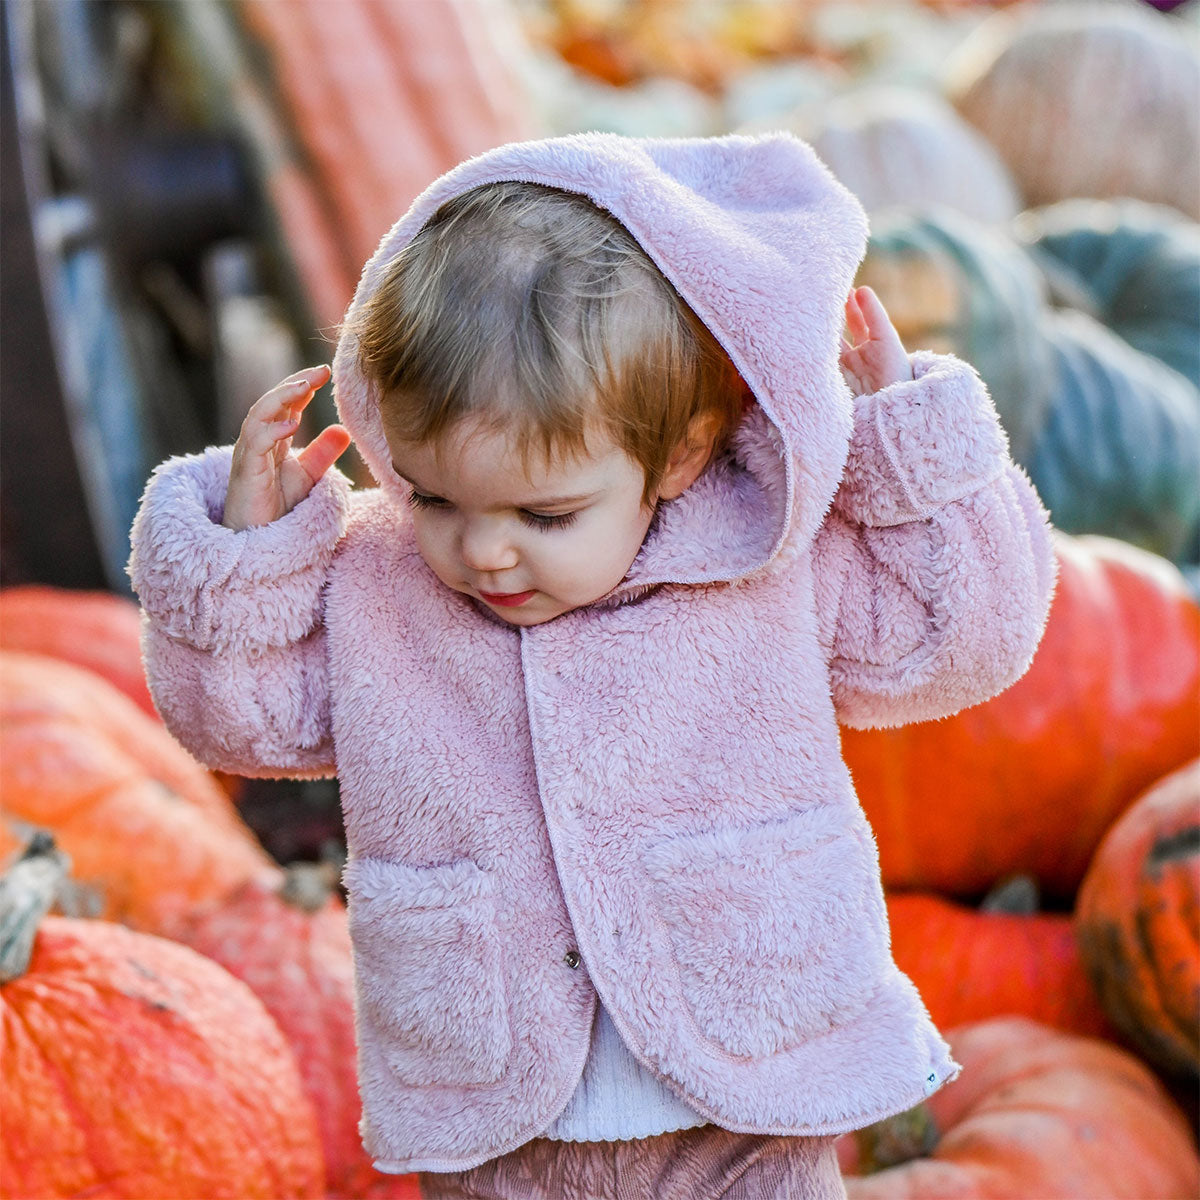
(649, 527)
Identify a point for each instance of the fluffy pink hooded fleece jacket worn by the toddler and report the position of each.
(645, 799)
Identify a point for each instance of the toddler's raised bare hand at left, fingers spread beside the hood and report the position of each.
(266, 482)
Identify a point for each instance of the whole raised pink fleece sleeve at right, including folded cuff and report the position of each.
(934, 571)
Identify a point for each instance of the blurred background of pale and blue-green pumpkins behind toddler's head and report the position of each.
(190, 190)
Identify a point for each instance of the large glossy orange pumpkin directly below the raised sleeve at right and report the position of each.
(1031, 781)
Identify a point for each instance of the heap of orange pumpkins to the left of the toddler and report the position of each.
(195, 931)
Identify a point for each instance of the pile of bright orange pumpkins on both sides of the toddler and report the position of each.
(1082, 781)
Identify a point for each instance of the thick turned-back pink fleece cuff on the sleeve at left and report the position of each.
(221, 590)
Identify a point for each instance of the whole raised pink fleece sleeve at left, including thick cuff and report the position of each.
(232, 632)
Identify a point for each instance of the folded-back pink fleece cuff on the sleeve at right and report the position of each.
(921, 445)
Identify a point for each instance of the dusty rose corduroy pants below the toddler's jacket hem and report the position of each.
(694, 1165)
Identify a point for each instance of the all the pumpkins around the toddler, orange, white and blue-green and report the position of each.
(1041, 853)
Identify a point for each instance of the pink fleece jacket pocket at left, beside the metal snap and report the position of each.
(430, 988)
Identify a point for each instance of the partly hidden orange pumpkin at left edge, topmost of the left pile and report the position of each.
(98, 631)
